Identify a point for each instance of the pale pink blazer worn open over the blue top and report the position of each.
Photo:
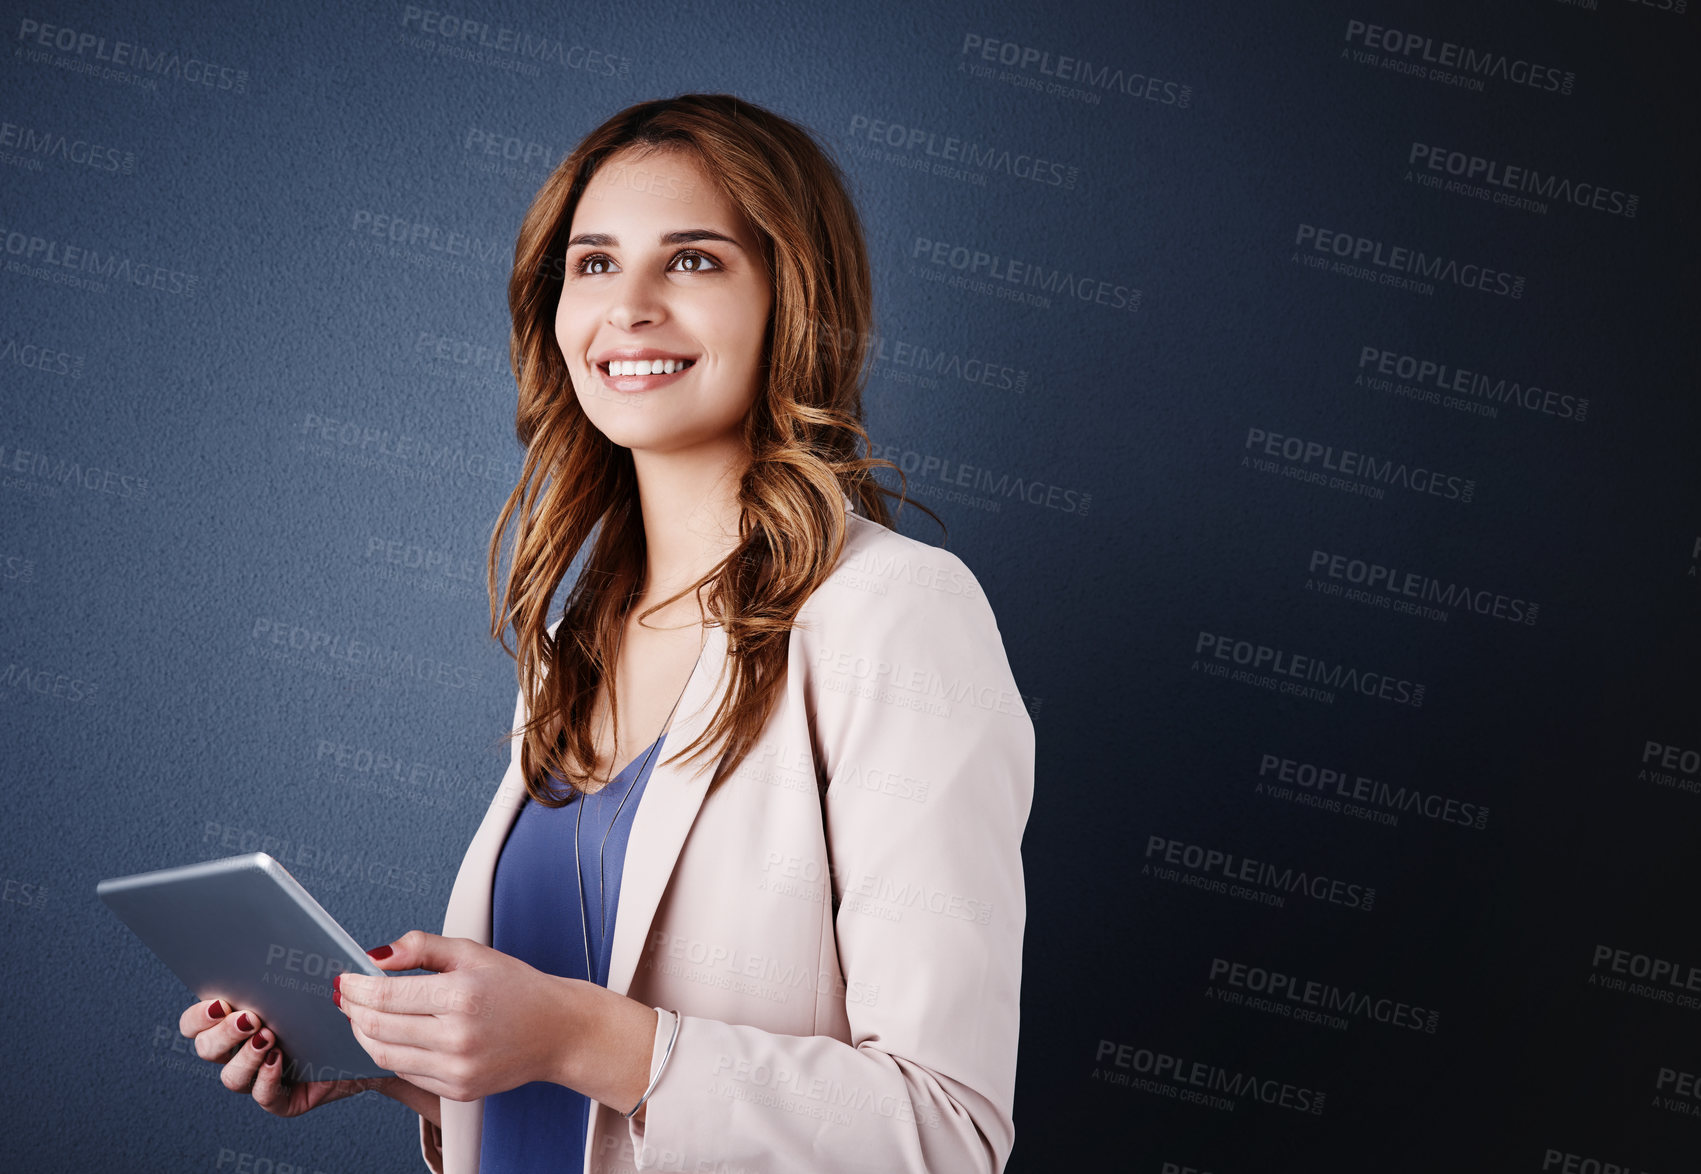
(850, 1018)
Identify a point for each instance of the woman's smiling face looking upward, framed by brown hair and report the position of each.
(663, 271)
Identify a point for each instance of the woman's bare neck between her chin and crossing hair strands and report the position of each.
(690, 504)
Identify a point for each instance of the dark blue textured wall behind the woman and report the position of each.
(1312, 389)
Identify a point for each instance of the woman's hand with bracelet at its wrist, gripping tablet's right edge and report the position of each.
(484, 1023)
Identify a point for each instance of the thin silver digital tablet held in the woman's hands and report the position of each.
(242, 930)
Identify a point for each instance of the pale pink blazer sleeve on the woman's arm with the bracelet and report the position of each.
(931, 909)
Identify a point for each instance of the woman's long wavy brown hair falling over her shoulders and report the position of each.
(804, 435)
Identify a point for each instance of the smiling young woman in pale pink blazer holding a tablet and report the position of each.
(751, 892)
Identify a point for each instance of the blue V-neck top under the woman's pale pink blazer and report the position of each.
(535, 918)
